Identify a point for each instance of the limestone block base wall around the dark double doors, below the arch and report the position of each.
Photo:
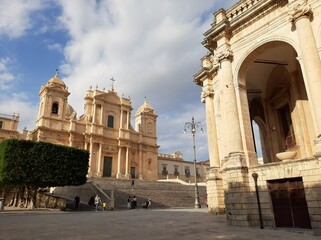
(240, 196)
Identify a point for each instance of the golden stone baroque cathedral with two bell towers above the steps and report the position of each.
(116, 148)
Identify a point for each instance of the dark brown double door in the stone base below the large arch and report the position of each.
(289, 203)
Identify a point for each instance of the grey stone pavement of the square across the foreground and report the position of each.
(155, 224)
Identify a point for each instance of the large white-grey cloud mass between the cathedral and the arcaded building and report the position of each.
(151, 48)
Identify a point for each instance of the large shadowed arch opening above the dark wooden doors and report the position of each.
(277, 100)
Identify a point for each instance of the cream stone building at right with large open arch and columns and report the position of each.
(262, 78)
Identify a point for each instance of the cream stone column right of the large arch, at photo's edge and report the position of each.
(300, 14)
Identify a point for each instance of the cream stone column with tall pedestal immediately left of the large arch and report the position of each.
(234, 167)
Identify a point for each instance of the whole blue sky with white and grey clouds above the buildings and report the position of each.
(152, 48)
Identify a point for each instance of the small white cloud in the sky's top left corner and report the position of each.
(16, 16)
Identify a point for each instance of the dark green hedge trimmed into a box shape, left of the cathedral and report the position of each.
(40, 164)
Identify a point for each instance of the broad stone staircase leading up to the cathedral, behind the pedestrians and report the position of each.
(162, 194)
